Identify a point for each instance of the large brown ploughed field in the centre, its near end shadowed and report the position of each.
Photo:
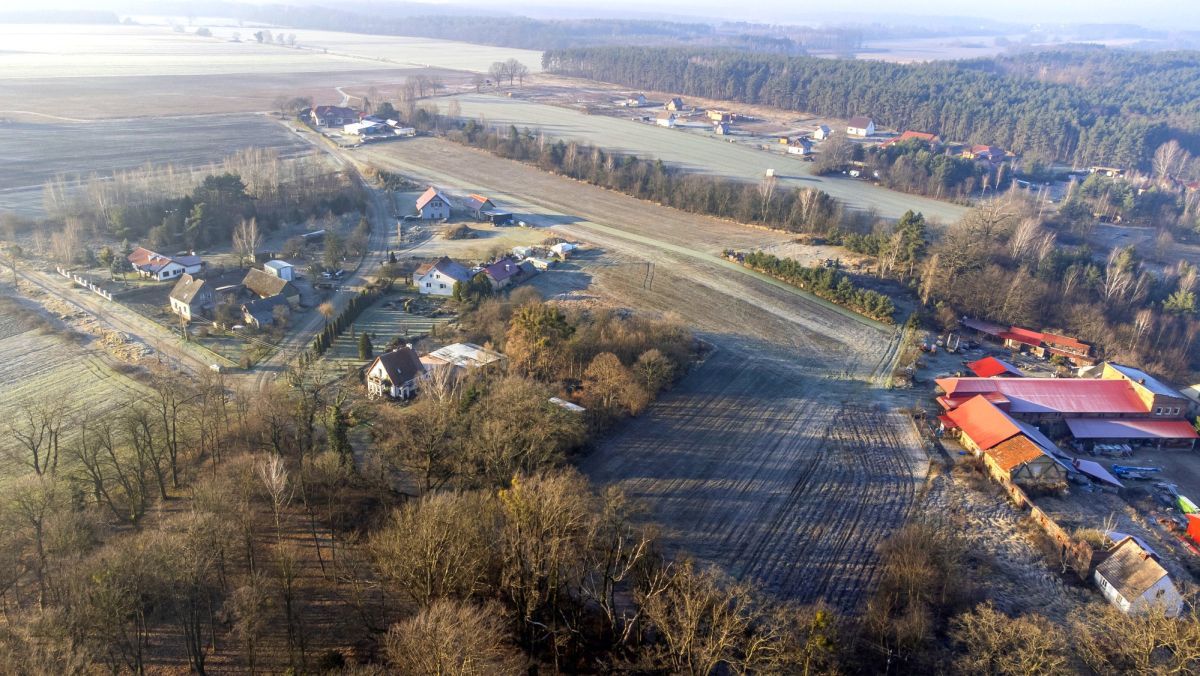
(777, 459)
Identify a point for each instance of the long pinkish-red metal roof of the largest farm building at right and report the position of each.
(1048, 396)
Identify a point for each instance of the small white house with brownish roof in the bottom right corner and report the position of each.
(1136, 583)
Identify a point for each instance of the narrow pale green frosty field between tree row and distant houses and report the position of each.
(701, 153)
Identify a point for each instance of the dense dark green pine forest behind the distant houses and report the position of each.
(1130, 105)
